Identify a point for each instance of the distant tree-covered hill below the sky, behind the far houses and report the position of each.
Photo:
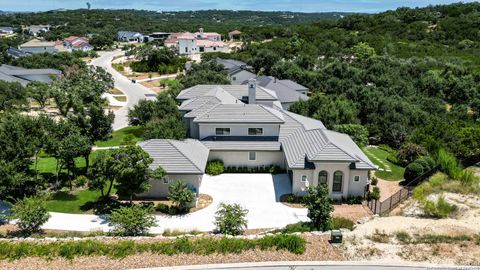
(83, 21)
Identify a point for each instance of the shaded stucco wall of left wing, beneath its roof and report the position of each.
(160, 190)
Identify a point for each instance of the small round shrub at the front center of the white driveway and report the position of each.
(231, 219)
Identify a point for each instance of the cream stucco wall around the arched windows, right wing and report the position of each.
(349, 186)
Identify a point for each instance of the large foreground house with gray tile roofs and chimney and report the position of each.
(237, 125)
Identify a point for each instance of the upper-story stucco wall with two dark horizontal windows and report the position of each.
(238, 129)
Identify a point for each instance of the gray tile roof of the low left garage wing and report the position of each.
(177, 157)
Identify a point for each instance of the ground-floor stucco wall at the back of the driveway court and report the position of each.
(241, 158)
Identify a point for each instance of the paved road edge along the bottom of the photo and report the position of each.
(299, 265)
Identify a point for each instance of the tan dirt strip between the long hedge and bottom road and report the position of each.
(317, 249)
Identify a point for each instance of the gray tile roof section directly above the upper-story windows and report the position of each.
(240, 113)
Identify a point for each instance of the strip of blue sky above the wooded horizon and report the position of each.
(169, 5)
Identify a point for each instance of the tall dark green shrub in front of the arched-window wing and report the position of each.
(319, 206)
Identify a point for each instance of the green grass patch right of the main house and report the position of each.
(397, 171)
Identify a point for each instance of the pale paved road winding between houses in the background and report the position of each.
(134, 92)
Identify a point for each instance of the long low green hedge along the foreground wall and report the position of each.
(10, 250)
